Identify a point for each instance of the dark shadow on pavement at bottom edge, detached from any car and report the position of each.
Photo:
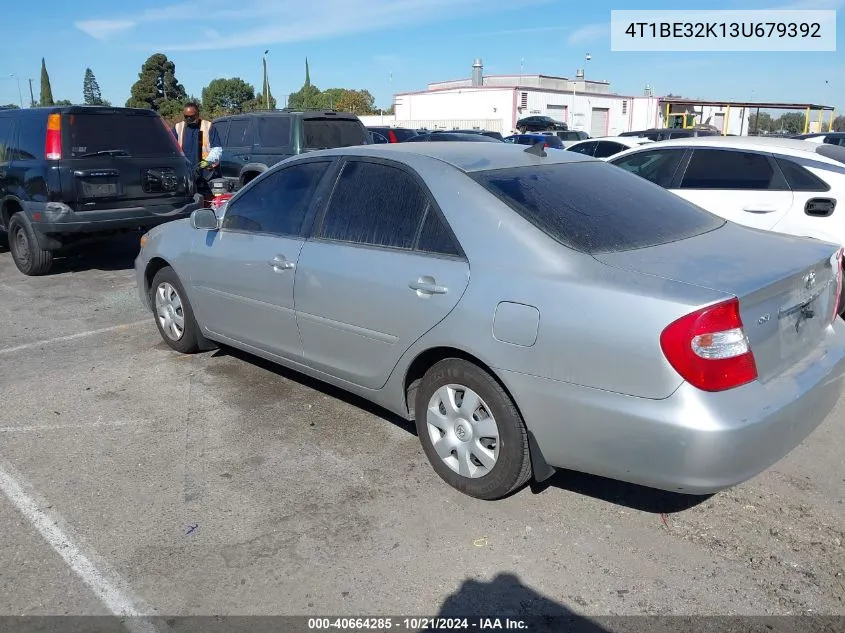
(505, 597)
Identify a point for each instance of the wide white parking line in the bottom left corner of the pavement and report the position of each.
(109, 588)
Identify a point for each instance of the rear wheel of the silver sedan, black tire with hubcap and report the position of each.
(471, 430)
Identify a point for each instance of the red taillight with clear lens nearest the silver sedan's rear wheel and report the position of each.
(709, 348)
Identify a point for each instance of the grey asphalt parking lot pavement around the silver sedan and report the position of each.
(136, 478)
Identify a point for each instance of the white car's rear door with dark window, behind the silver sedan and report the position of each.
(742, 186)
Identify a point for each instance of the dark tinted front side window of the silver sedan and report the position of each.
(278, 203)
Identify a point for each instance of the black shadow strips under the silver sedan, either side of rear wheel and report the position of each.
(601, 488)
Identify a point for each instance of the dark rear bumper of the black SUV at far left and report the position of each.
(56, 219)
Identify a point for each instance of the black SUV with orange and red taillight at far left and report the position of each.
(69, 174)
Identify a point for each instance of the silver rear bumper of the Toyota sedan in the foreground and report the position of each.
(693, 441)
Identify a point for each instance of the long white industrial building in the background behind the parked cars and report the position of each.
(497, 102)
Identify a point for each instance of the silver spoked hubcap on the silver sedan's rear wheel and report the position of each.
(463, 431)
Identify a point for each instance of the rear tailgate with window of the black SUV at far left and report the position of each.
(119, 159)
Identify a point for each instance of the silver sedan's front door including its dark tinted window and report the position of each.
(243, 274)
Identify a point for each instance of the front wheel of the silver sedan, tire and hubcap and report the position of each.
(173, 313)
